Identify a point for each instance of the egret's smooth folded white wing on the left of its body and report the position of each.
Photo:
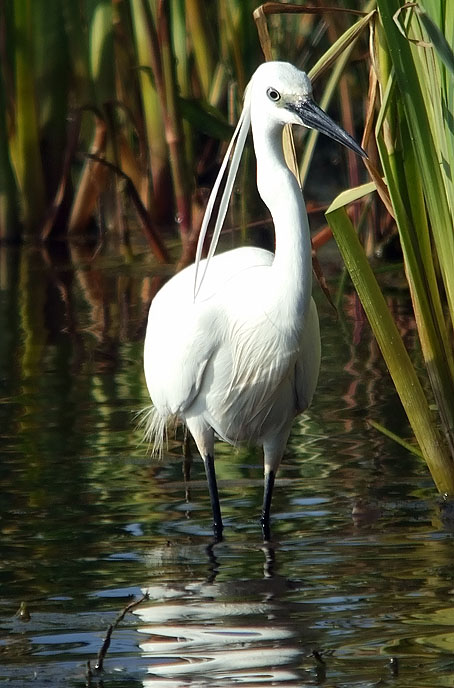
(183, 335)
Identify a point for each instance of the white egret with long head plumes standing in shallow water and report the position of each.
(237, 354)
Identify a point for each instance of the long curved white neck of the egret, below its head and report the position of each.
(292, 267)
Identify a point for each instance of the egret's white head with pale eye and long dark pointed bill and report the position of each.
(283, 94)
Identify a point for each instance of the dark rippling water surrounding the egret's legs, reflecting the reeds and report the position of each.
(357, 588)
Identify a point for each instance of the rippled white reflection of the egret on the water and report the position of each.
(219, 633)
